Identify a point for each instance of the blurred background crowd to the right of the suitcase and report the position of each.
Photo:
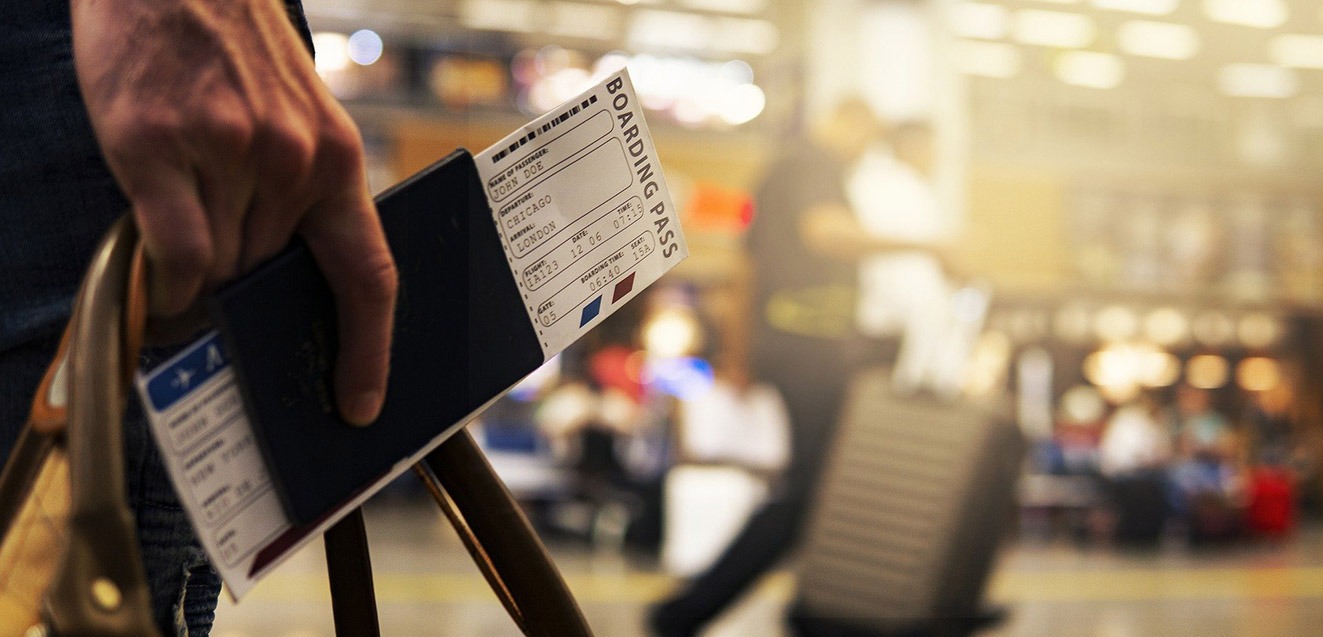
(1174, 464)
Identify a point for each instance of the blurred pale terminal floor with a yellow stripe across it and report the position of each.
(427, 586)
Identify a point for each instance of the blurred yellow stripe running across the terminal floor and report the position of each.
(1025, 586)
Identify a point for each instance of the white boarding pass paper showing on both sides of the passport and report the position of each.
(587, 223)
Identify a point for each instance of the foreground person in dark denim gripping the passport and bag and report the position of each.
(207, 120)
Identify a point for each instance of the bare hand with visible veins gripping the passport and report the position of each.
(227, 144)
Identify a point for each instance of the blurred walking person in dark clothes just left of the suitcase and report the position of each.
(805, 244)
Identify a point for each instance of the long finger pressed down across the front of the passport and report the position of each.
(351, 250)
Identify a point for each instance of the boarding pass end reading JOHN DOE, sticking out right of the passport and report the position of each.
(581, 207)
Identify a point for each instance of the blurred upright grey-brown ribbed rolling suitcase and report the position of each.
(914, 505)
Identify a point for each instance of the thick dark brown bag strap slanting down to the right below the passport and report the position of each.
(507, 548)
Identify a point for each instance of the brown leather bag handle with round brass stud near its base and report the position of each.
(100, 586)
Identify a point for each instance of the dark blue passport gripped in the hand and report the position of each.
(462, 337)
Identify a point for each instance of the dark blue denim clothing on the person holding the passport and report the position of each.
(56, 199)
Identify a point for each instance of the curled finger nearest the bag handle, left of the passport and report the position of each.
(177, 234)
